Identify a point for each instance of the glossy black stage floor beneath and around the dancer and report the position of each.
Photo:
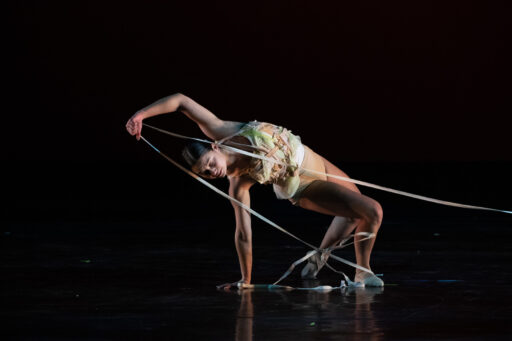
(147, 281)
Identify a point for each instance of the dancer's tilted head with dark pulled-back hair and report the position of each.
(207, 161)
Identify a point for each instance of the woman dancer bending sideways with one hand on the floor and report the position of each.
(341, 199)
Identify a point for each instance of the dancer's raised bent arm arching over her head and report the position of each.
(211, 125)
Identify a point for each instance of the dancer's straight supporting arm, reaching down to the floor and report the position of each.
(239, 189)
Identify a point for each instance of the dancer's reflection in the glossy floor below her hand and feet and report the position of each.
(324, 313)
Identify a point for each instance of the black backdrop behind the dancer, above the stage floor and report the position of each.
(412, 95)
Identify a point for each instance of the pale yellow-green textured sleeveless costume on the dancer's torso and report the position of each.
(280, 144)
